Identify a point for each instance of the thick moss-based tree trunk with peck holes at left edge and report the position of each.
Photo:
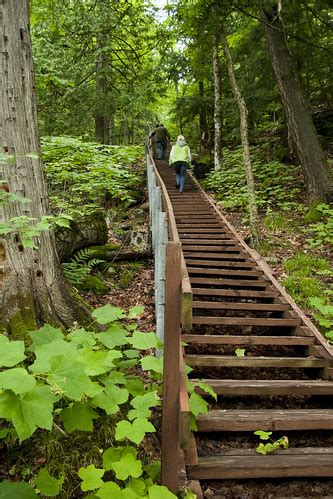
(34, 289)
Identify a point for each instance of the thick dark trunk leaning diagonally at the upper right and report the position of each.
(305, 138)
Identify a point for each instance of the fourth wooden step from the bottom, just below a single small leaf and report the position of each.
(251, 362)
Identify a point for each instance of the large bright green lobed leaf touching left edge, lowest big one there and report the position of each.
(29, 411)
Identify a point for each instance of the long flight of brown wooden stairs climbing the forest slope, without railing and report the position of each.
(282, 383)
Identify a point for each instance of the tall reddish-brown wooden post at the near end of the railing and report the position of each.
(171, 378)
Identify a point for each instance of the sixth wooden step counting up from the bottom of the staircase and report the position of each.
(245, 321)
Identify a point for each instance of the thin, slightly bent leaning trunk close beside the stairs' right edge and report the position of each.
(243, 113)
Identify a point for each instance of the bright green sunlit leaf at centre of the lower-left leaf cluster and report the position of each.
(68, 376)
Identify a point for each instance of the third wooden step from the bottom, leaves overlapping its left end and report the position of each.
(249, 387)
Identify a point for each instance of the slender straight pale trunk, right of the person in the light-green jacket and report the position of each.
(217, 105)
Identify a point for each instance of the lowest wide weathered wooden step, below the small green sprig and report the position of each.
(306, 462)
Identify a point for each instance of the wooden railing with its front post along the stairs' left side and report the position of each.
(177, 315)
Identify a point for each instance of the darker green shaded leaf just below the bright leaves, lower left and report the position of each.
(78, 417)
